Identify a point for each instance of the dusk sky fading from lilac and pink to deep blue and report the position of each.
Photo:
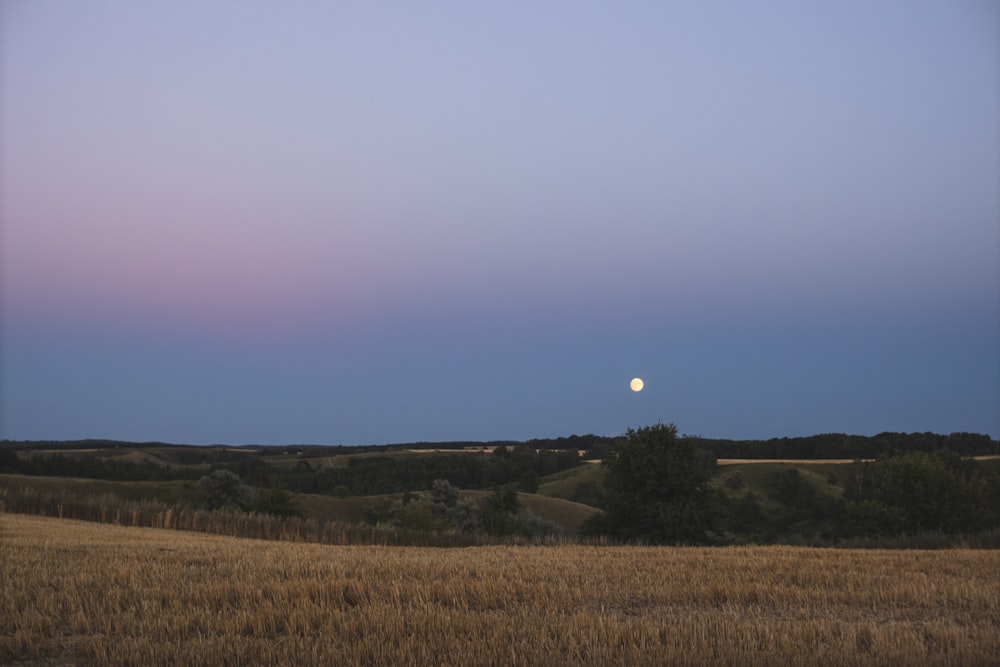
(364, 223)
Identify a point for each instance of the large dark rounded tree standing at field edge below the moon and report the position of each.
(657, 489)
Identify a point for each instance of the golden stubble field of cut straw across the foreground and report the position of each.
(83, 593)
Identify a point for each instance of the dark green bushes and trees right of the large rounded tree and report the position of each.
(914, 494)
